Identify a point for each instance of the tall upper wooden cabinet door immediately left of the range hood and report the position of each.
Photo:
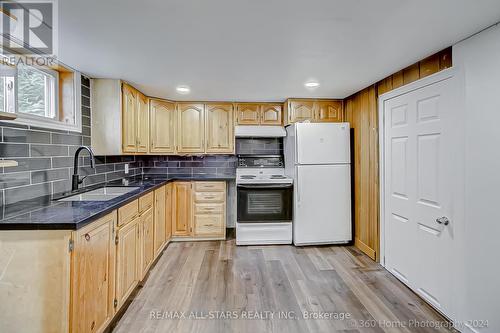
(219, 128)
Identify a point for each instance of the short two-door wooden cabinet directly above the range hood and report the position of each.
(259, 113)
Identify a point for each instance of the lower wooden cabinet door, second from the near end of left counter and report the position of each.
(127, 261)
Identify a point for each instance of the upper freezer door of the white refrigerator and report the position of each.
(323, 143)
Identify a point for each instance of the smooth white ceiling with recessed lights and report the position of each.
(260, 50)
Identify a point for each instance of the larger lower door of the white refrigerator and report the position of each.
(322, 205)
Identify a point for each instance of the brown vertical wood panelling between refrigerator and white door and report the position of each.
(361, 111)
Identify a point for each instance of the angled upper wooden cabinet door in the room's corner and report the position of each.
(162, 127)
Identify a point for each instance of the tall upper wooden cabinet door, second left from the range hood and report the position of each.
(190, 128)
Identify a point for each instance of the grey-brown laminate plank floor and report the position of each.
(219, 287)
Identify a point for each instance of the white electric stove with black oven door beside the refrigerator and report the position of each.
(264, 201)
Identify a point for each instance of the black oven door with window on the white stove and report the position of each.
(264, 203)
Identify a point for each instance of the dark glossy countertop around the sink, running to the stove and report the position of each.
(46, 214)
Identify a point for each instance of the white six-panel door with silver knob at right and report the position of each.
(420, 137)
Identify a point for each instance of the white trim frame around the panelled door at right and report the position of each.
(450, 73)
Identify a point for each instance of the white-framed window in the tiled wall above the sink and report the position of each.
(41, 96)
